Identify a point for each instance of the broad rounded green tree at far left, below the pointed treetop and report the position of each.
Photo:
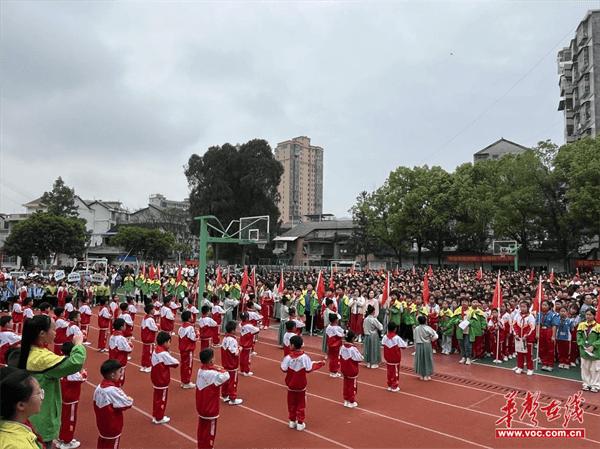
(44, 235)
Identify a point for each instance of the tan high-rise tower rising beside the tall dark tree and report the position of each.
(301, 186)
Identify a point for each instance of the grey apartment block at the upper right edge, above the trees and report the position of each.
(578, 81)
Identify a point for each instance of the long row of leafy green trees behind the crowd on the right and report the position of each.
(544, 198)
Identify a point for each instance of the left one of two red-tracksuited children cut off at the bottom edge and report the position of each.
(110, 401)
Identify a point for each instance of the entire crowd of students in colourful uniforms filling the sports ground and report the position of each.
(440, 310)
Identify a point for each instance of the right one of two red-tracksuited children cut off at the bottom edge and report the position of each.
(208, 385)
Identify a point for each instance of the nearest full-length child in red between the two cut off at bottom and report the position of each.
(162, 363)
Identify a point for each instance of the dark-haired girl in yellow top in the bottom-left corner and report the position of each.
(21, 398)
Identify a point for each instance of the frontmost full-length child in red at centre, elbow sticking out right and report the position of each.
(296, 365)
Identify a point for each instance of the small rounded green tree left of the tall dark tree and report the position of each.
(152, 244)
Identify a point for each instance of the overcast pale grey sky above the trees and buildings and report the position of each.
(115, 96)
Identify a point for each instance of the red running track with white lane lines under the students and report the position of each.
(436, 414)
